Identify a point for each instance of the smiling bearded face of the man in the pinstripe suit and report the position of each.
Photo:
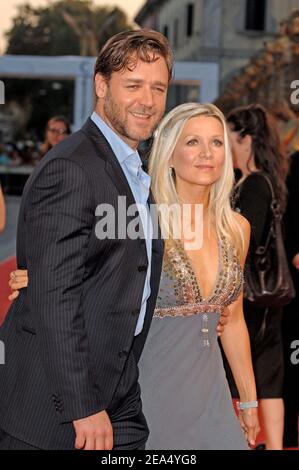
(133, 101)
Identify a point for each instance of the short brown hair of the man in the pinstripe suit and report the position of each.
(123, 50)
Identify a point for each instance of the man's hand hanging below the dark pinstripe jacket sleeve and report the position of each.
(94, 432)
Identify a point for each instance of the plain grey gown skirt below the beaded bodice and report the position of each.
(185, 394)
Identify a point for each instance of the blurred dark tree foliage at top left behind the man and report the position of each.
(66, 27)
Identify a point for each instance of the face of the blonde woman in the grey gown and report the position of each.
(199, 155)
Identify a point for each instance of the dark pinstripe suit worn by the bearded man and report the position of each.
(69, 337)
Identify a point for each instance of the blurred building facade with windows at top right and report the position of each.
(227, 32)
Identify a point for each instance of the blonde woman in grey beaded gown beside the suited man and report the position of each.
(185, 394)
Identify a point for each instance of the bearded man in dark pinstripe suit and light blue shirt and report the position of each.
(74, 336)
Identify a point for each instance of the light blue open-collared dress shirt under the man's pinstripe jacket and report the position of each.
(139, 182)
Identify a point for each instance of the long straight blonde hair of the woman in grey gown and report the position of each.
(222, 216)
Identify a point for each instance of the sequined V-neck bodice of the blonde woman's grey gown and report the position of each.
(179, 293)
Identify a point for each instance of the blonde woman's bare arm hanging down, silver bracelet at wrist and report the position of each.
(236, 345)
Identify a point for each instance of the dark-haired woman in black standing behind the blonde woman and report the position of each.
(256, 148)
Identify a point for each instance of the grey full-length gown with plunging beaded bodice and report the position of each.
(185, 395)
